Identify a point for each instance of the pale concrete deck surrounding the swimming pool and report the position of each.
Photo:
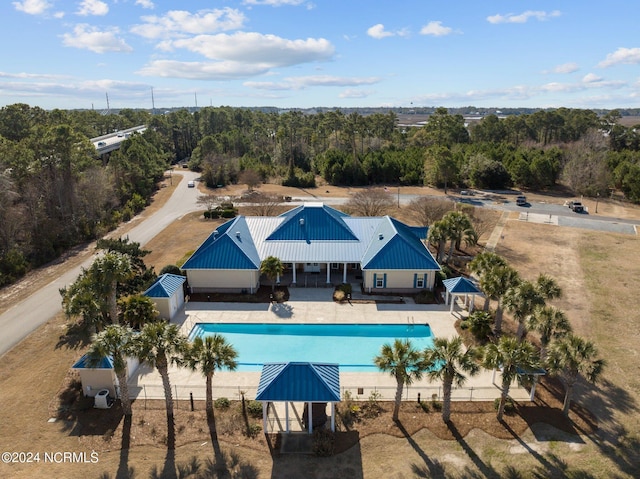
(314, 306)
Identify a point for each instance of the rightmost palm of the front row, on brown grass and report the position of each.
(571, 357)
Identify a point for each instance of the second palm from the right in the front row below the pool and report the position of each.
(512, 357)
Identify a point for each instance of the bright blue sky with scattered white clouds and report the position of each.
(298, 53)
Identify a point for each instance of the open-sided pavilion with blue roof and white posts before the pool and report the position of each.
(314, 384)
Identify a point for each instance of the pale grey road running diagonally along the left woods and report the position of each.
(42, 305)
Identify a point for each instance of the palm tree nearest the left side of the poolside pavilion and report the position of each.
(210, 355)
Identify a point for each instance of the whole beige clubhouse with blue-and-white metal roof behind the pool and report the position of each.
(317, 244)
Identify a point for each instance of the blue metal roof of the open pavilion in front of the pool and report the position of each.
(308, 382)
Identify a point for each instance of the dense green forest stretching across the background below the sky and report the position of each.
(56, 192)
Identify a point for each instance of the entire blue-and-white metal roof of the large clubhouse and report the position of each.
(314, 233)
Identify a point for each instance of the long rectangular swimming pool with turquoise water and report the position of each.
(352, 346)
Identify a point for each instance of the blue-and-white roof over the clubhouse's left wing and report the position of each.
(230, 246)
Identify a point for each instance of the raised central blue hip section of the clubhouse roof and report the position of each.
(313, 222)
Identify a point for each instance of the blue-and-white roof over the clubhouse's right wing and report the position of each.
(396, 246)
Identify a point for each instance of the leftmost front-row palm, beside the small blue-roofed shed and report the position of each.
(114, 342)
